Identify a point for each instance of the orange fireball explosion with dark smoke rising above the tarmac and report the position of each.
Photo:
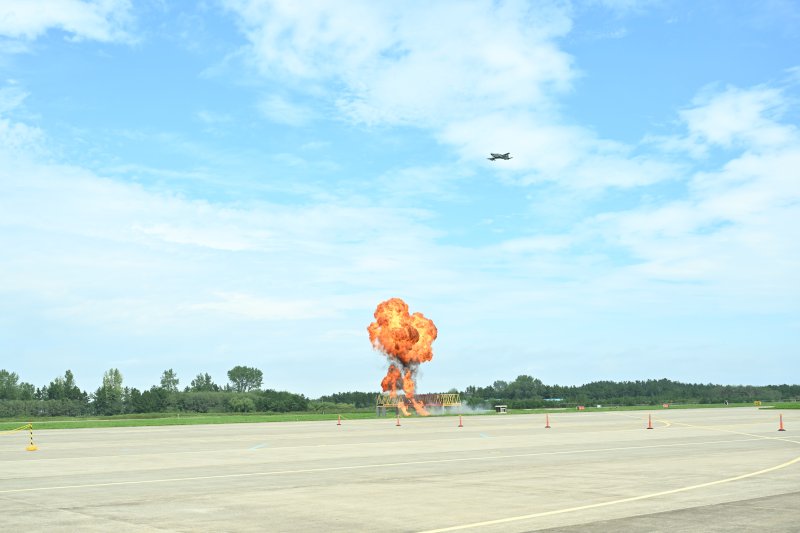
(406, 340)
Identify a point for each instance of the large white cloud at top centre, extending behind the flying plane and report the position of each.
(483, 76)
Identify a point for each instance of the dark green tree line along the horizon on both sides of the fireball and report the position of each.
(242, 393)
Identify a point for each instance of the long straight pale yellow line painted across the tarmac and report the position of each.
(368, 466)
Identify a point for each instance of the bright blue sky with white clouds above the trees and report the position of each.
(197, 186)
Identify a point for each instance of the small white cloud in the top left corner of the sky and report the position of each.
(100, 20)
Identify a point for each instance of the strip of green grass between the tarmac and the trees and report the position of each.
(173, 419)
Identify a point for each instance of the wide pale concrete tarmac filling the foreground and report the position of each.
(696, 470)
